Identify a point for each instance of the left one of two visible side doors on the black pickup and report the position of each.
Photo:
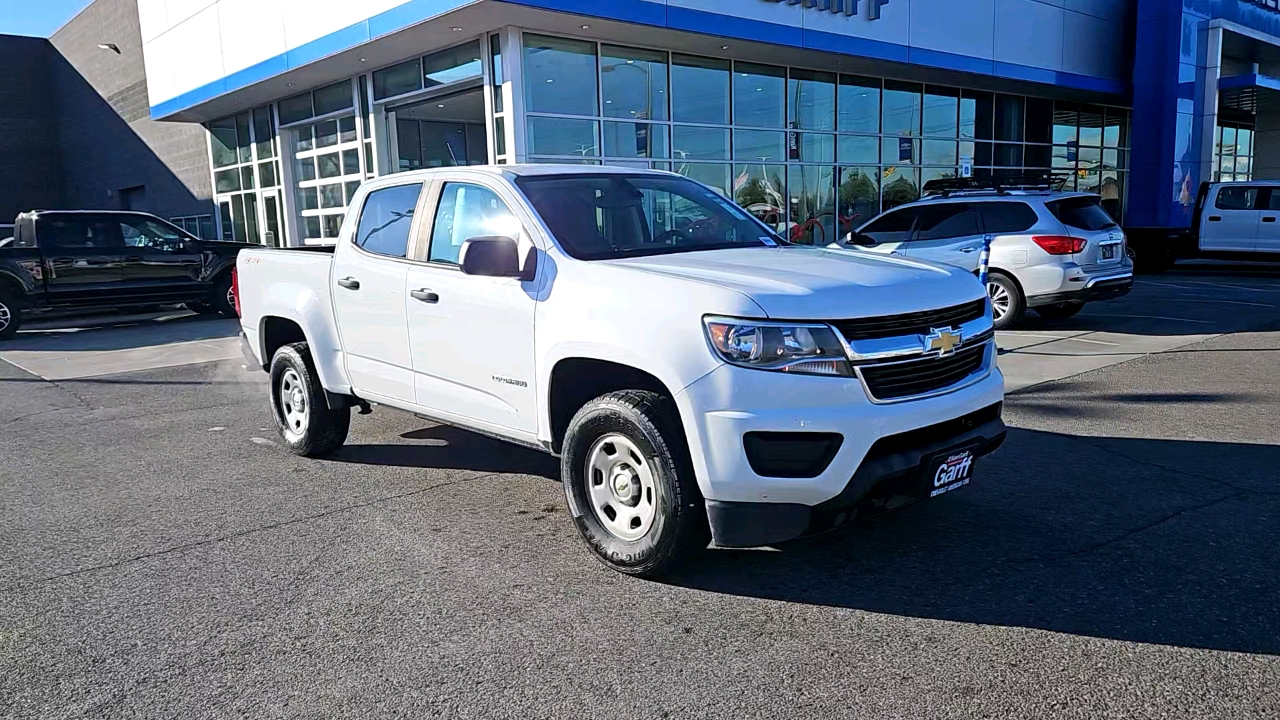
(84, 258)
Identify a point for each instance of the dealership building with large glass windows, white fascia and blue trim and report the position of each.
(815, 115)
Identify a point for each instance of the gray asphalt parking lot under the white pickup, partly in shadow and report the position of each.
(164, 558)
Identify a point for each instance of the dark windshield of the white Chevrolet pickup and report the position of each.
(616, 216)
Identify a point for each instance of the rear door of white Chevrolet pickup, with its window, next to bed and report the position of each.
(369, 277)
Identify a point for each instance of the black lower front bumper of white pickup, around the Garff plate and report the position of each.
(890, 477)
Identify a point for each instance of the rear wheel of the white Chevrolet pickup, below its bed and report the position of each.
(318, 430)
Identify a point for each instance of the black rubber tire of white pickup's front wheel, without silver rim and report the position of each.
(679, 526)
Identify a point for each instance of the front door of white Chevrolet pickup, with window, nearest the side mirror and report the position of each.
(473, 338)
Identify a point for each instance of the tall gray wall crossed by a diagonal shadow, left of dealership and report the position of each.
(108, 139)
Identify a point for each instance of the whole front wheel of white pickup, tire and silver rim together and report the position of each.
(630, 485)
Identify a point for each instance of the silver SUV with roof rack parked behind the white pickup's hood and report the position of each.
(1052, 252)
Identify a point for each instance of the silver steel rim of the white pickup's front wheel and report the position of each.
(621, 487)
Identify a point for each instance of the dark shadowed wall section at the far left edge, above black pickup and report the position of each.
(31, 172)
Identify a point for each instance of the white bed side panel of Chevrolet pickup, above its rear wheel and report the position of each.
(284, 293)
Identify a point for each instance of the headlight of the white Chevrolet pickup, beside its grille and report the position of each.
(788, 348)
